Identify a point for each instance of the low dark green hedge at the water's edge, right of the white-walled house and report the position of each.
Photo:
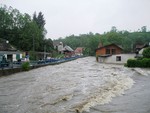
(145, 62)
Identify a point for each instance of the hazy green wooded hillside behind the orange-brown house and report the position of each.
(128, 40)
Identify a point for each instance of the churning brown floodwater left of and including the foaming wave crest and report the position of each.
(65, 88)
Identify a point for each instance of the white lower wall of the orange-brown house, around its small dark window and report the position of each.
(112, 59)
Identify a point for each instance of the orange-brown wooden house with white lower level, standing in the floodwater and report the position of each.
(112, 53)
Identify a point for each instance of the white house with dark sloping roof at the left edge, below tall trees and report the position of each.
(10, 52)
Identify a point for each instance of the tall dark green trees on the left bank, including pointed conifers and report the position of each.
(24, 31)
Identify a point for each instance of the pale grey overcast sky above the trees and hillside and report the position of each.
(67, 17)
